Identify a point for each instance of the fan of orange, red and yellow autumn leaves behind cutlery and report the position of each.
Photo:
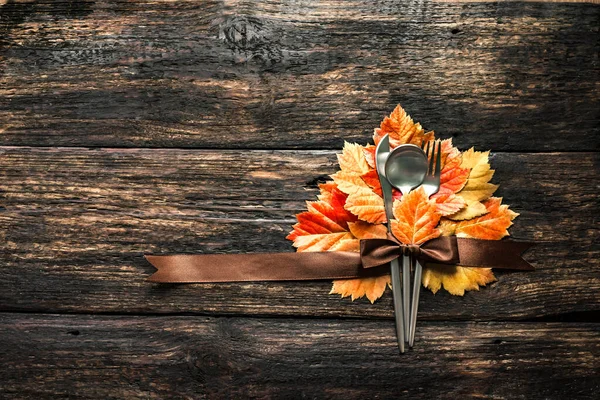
(350, 207)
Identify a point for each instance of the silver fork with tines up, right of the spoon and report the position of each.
(431, 185)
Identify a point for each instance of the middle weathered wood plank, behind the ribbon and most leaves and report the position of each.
(74, 224)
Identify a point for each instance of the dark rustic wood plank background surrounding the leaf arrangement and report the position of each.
(195, 126)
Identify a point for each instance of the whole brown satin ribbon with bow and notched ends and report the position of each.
(372, 260)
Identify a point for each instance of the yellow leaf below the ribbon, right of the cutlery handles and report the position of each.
(456, 280)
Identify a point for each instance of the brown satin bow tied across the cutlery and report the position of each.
(377, 252)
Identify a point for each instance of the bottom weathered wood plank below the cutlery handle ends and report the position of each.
(46, 356)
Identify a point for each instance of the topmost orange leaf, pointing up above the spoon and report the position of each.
(401, 129)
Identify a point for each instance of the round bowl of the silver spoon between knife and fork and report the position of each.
(406, 167)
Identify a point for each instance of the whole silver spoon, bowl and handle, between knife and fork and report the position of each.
(405, 169)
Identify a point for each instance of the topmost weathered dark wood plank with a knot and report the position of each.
(513, 76)
